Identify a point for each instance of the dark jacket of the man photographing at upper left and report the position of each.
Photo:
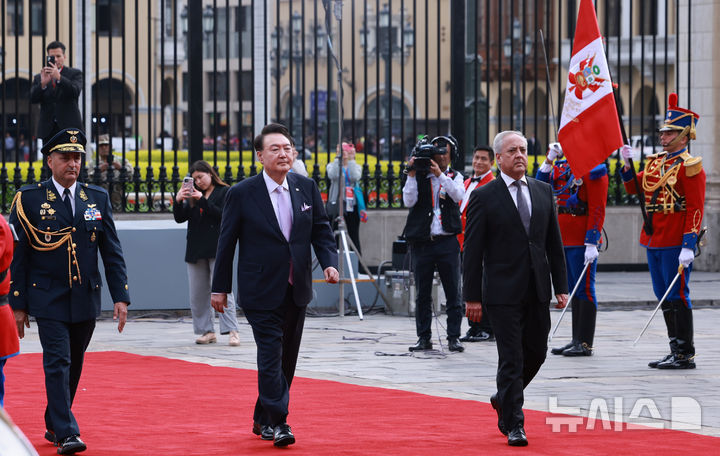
(58, 104)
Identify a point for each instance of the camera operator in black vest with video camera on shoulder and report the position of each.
(432, 192)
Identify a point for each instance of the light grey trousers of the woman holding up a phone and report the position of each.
(200, 282)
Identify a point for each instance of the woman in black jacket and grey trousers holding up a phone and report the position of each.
(200, 202)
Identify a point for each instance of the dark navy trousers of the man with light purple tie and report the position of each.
(277, 333)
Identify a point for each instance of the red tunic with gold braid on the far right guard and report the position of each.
(677, 209)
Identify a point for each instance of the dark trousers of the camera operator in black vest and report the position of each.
(444, 253)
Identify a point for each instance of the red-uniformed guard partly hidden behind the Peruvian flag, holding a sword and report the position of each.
(581, 213)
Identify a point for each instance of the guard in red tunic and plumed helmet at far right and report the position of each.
(673, 186)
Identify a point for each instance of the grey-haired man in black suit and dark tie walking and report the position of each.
(513, 251)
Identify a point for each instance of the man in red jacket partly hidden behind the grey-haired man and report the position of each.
(483, 161)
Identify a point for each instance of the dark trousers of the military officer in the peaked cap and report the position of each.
(64, 346)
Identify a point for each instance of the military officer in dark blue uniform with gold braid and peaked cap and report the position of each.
(62, 224)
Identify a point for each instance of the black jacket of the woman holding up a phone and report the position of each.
(203, 224)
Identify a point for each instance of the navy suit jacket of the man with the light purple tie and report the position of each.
(264, 255)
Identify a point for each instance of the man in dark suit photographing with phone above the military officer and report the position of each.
(56, 88)
